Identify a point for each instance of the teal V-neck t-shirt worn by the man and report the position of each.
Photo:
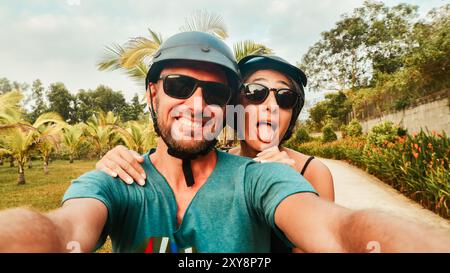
(232, 212)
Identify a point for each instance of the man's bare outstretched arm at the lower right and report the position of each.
(317, 225)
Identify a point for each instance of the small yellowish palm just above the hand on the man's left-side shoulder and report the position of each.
(100, 131)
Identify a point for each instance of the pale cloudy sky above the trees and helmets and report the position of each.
(63, 40)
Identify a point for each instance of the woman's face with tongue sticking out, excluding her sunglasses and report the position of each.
(266, 123)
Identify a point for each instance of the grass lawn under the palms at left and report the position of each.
(41, 192)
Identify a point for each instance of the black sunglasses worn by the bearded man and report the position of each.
(182, 87)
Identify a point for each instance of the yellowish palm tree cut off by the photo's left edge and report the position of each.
(20, 138)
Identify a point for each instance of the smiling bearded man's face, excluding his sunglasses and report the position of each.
(188, 125)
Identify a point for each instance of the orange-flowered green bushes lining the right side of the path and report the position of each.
(417, 165)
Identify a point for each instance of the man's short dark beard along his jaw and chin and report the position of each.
(199, 146)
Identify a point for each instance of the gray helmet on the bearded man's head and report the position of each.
(195, 46)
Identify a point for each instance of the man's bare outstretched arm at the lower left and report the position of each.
(80, 221)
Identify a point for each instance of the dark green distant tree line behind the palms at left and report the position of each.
(73, 108)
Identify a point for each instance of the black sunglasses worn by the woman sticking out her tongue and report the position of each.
(257, 93)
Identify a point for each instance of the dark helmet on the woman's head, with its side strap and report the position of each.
(258, 62)
